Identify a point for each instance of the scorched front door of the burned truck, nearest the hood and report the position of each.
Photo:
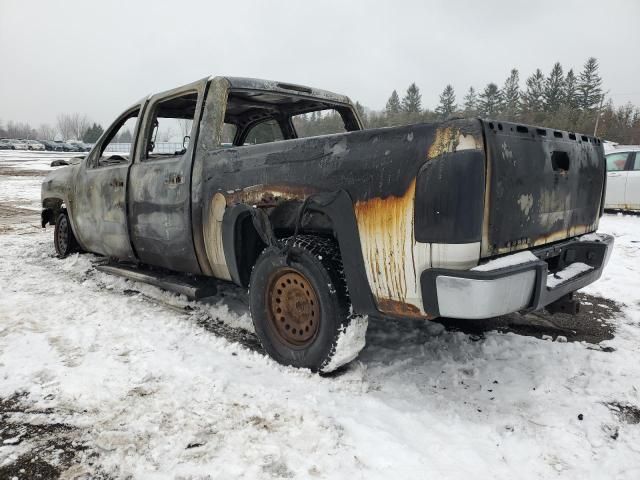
(99, 207)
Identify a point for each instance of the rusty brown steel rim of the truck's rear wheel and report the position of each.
(293, 307)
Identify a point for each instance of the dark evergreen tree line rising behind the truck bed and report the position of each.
(566, 101)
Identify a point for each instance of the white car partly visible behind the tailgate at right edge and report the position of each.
(623, 178)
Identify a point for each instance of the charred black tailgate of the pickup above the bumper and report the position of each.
(542, 186)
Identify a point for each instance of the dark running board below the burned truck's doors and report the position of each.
(192, 287)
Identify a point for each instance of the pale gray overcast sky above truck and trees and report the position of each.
(97, 57)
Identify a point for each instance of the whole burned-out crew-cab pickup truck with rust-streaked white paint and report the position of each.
(468, 218)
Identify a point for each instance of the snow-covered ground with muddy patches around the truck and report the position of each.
(102, 377)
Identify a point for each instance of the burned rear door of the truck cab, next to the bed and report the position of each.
(160, 180)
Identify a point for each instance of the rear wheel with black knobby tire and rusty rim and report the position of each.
(297, 341)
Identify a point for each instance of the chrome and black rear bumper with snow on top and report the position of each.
(526, 285)
